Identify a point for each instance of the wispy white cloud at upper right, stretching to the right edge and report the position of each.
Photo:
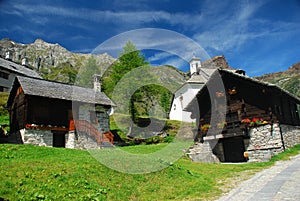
(230, 31)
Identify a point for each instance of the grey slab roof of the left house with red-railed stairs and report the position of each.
(57, 90)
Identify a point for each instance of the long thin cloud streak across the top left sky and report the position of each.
(120, 17)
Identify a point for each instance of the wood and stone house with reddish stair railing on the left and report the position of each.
(48, 113)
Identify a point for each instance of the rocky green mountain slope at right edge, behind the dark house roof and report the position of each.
(289, 79)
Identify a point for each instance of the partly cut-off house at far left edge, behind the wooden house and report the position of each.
(9, 70)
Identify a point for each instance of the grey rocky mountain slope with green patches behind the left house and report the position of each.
(52, 61)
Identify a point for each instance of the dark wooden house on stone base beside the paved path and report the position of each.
(242, 119)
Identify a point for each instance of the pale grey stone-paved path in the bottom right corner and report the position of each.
(280, 182)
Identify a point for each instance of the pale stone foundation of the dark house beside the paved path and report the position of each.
(265, 141)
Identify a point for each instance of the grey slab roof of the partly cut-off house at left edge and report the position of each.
(17, 68)
